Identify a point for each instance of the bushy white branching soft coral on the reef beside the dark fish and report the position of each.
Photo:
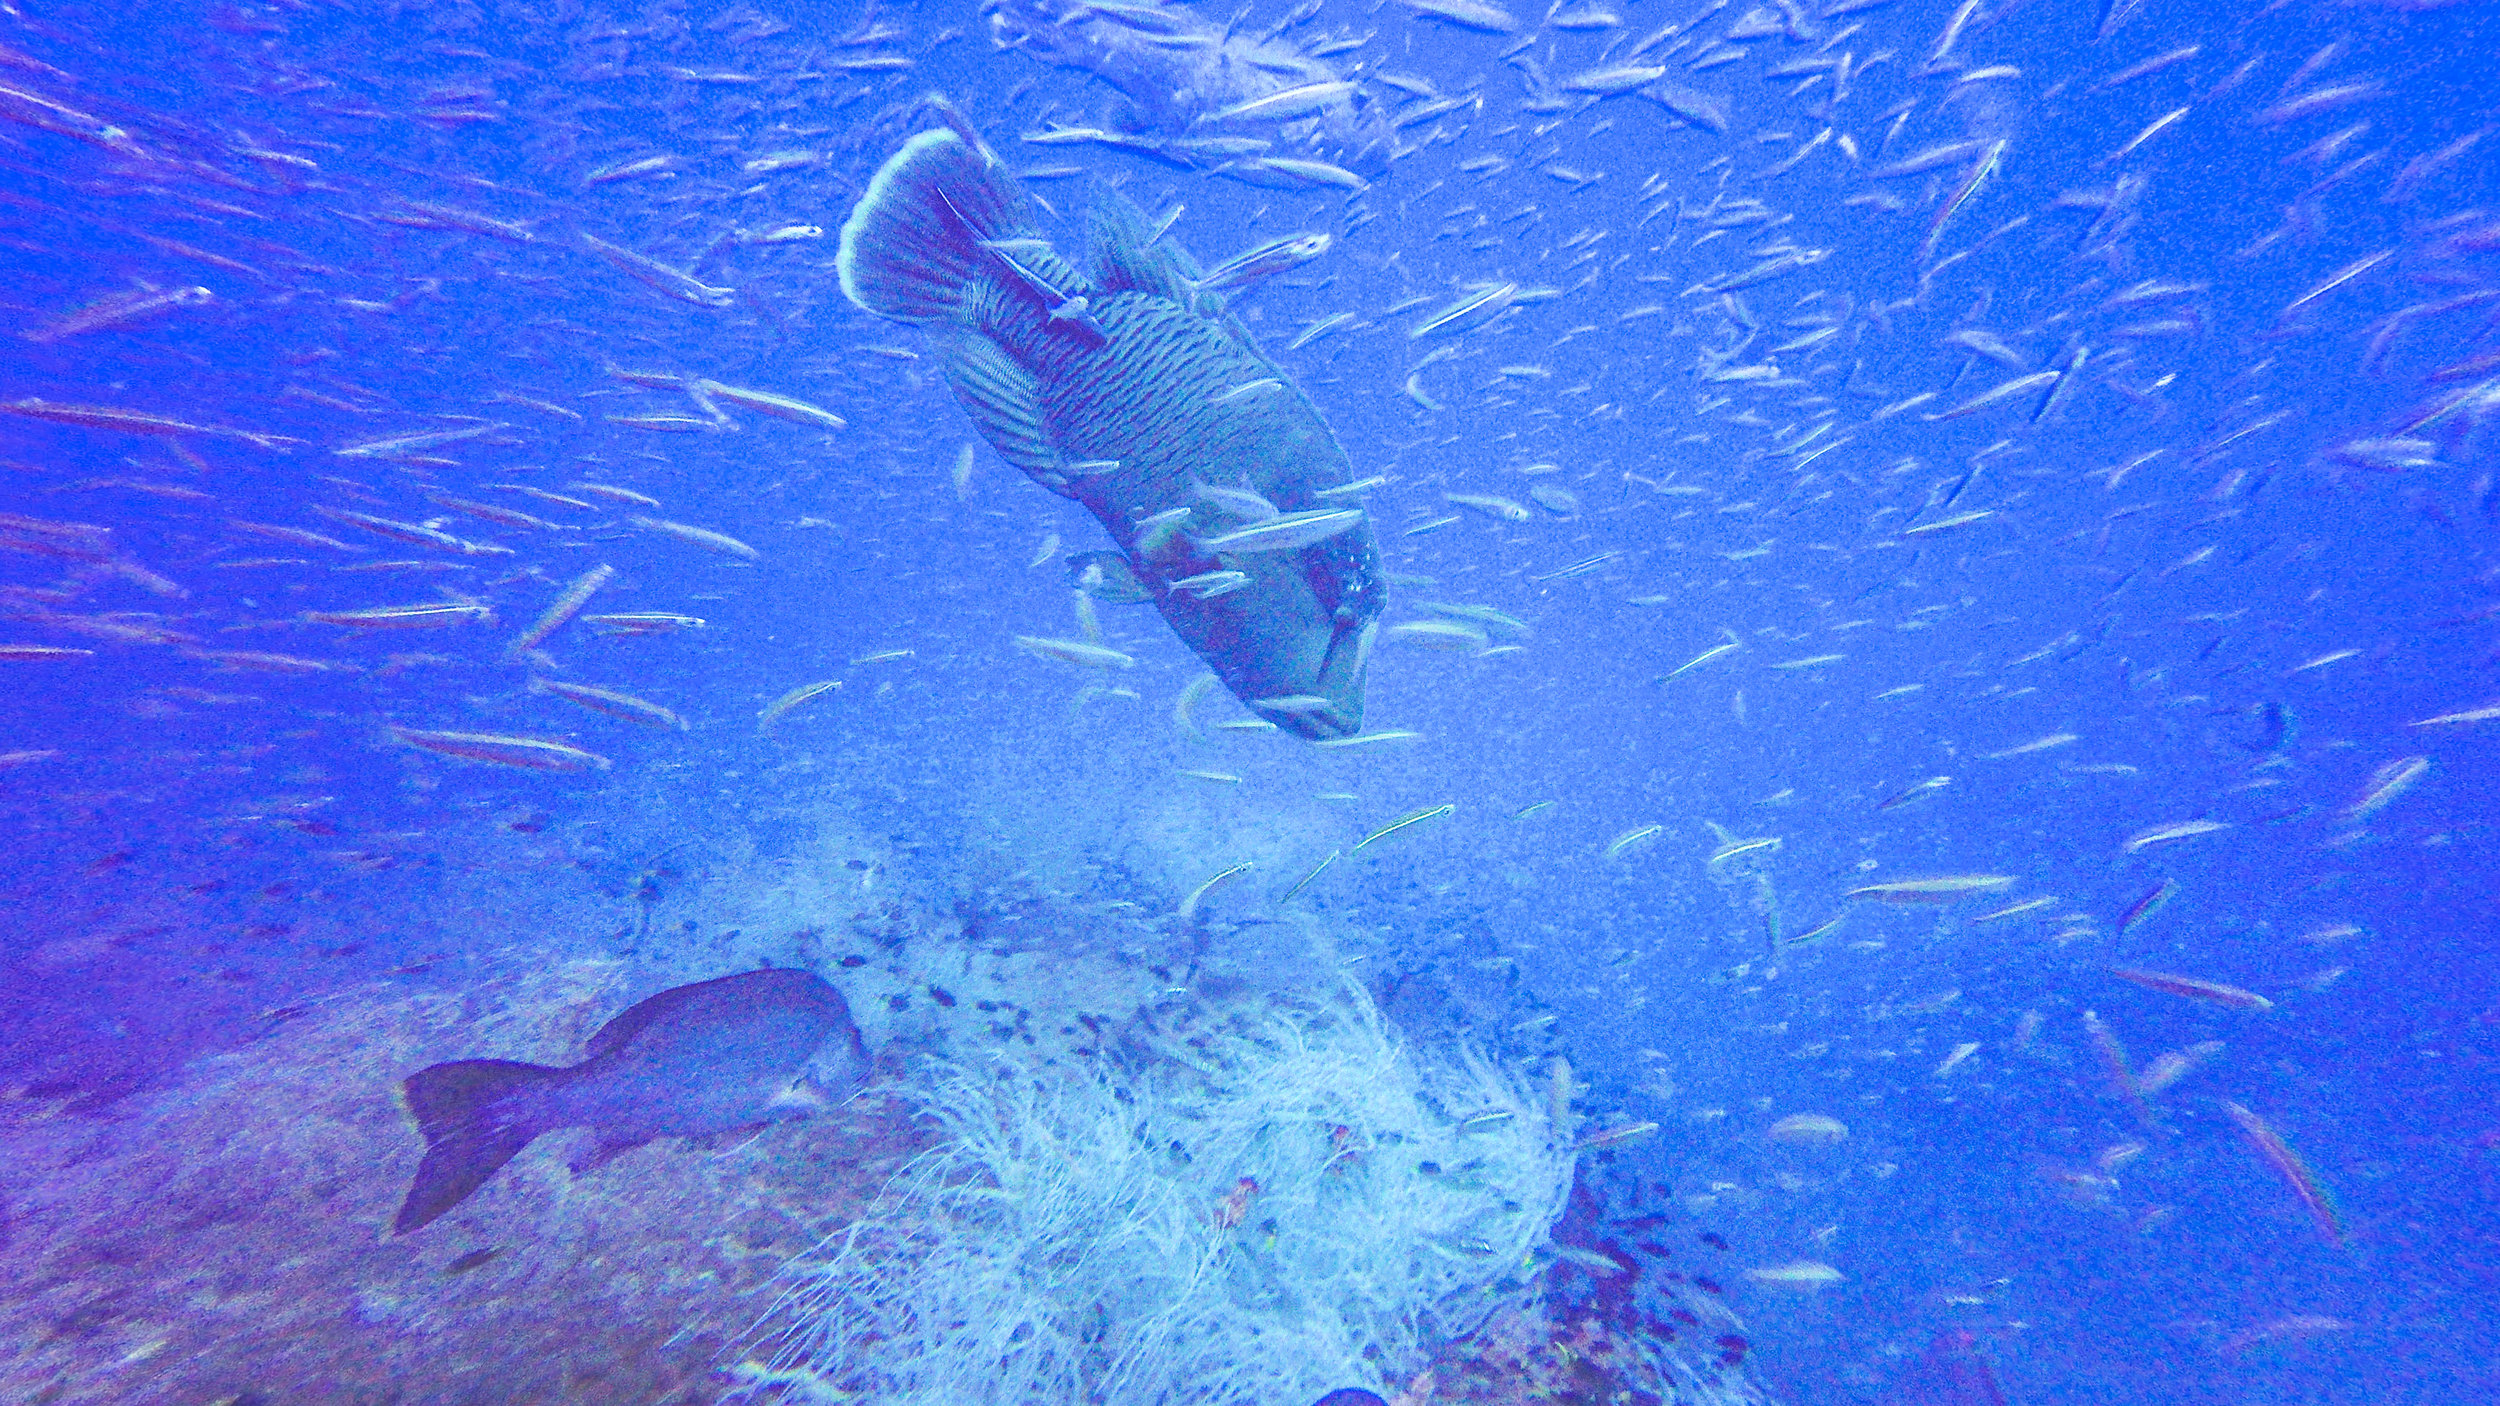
(1266, 1205)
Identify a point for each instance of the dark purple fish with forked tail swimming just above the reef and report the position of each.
(681, 1065)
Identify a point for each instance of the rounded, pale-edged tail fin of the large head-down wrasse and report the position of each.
(914, 244)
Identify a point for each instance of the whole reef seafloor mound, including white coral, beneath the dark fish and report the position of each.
(1096, 1160)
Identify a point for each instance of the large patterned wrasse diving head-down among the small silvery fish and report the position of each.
(1134, 394)
